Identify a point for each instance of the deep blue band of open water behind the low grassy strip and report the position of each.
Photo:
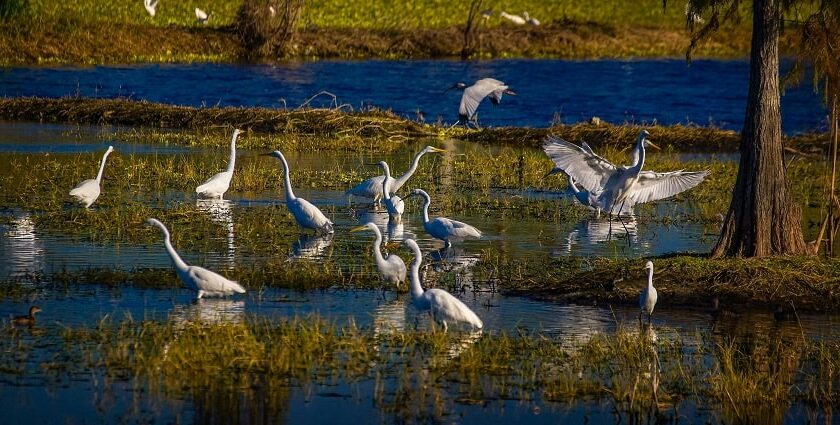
(663, 91)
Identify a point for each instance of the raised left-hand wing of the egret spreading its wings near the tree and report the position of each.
(589, 170)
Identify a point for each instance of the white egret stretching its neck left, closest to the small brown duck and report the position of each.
(202, 281)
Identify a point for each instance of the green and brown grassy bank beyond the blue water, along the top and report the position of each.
(93, 33)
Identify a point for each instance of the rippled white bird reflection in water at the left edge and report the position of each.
(22, 250)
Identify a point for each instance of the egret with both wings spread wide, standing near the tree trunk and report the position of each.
(618, 188)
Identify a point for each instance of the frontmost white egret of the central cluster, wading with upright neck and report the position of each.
(442, 305)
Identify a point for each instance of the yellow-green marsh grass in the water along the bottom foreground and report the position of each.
(635, 371)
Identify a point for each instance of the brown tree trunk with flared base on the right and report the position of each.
(762, 220)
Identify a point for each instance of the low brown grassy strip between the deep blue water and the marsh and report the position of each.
(338, 129)
